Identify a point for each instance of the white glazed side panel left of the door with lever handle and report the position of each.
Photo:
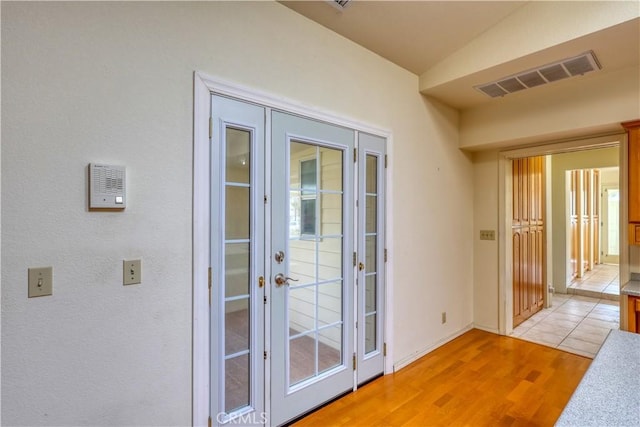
(237, 262)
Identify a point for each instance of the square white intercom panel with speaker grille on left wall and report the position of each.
(106, 186)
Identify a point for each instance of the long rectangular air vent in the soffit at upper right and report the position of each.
(548, 73)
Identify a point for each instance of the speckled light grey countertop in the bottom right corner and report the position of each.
(609, 393)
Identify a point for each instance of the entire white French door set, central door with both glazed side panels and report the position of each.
(297, 262)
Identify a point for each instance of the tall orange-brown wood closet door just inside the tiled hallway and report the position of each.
(528, 237)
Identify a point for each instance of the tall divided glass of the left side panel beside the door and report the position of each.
(237, 269)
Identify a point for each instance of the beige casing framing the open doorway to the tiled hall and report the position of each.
(505, 247)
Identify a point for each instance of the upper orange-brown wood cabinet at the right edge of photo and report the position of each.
(633, 132)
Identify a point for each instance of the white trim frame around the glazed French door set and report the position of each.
(203, 86)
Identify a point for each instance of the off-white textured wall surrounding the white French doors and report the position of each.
(113, 82)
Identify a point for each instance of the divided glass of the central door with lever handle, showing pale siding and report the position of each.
(314, 301)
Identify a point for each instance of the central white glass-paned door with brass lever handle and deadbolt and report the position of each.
(312, 271)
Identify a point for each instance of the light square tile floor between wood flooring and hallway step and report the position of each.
(575, 323)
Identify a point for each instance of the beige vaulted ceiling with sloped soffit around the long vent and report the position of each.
(455, 46)
